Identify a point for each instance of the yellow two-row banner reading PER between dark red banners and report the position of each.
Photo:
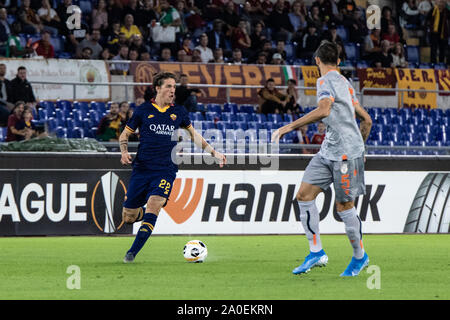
(416, 79)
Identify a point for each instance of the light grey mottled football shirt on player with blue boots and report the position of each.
(343, 137)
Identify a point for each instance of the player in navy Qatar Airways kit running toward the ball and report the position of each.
(153, 168)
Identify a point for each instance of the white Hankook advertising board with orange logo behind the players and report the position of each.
(256, 202)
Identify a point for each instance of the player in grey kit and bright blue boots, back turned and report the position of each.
(340, 160)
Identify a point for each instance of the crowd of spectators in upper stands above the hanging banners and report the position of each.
(253, 31)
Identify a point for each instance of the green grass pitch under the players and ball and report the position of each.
(237, 267)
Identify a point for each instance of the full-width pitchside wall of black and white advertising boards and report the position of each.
(82, 194)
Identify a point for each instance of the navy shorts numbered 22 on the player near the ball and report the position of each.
(144, 184)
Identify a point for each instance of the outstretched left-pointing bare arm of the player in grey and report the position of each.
(322, 111)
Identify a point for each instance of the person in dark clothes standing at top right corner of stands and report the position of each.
(439, 24)
